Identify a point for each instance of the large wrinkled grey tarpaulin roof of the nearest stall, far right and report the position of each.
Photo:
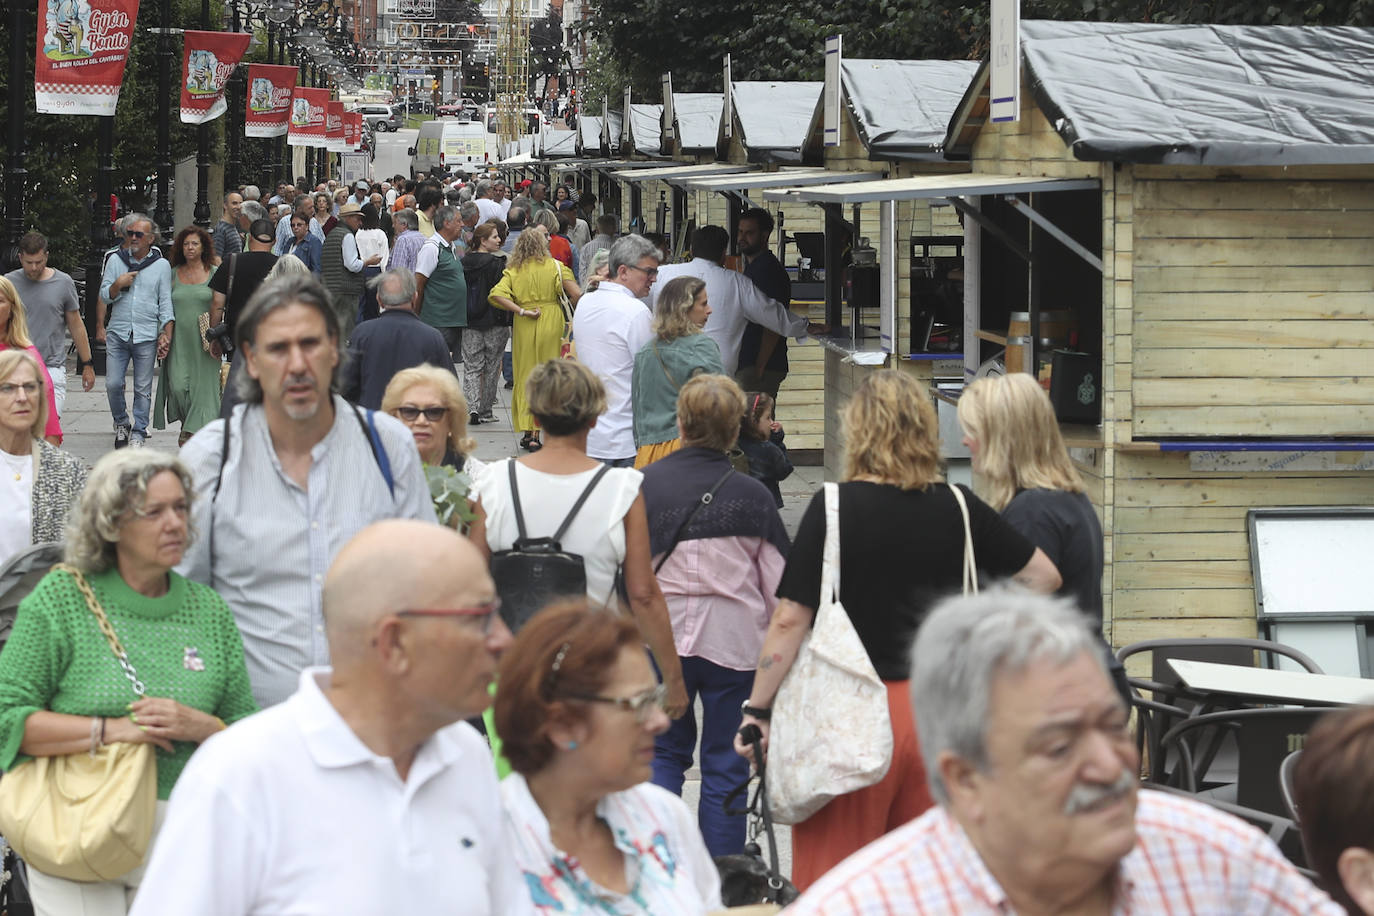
(1208, 94)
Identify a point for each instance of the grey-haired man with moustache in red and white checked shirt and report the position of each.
(1031, 760)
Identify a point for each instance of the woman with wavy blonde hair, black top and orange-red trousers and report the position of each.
(901, 551)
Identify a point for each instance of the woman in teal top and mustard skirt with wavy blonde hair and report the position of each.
(674, 356)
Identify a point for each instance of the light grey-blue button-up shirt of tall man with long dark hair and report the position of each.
(274, 542)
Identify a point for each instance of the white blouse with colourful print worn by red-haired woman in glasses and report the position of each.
(667, 865)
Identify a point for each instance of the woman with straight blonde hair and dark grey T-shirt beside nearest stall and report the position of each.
(1026, 473)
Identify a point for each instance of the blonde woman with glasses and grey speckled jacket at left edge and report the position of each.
(39, 481)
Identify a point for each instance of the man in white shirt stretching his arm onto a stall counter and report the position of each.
(734, 299)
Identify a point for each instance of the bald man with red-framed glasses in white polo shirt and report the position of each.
(366, 792)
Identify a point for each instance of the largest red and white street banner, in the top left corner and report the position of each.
(83, 47)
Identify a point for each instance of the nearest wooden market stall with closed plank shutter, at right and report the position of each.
(1192, 208)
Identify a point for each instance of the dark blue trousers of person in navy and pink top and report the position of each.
(722, 693)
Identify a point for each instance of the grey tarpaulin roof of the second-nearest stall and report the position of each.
(903, 108)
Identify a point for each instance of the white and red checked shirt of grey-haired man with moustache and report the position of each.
(1189, 860)
